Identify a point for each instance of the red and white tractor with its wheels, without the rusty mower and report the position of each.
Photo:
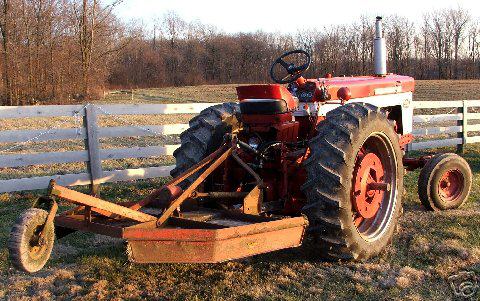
(329, 148)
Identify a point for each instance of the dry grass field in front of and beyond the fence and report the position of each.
(428, 247)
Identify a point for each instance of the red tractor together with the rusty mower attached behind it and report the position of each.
(322, 159)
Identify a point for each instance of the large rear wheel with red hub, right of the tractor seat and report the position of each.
(356, 149)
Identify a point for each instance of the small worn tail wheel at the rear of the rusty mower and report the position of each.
(27, 251)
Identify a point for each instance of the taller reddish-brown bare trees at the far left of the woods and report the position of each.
(56, 49)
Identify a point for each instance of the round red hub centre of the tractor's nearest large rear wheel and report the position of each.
(368, 186)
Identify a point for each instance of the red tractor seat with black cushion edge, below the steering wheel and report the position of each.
(265, 99)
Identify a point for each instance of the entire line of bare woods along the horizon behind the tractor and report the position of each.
(65, 49)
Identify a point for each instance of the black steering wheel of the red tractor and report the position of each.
(294, 72)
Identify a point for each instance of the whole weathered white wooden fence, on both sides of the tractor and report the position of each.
(425, 126)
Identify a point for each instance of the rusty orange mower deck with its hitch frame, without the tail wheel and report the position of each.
(156, 235)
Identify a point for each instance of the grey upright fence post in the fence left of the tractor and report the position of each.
(92, 145)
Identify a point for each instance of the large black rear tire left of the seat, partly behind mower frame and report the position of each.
(203, 137)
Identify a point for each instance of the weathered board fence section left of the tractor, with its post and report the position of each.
(90, 132)
